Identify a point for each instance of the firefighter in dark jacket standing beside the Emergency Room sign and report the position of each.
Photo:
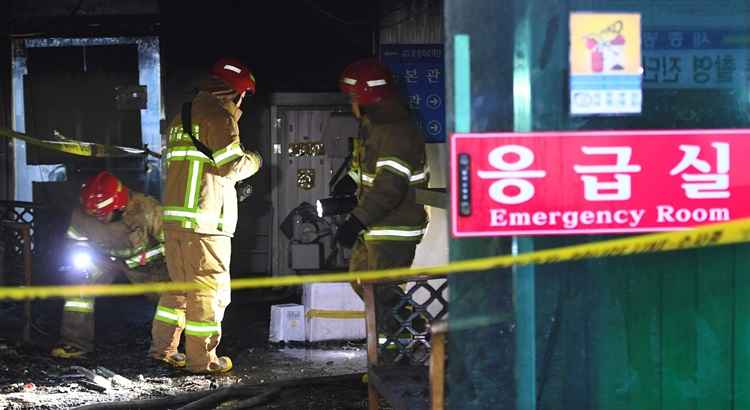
(385, 227)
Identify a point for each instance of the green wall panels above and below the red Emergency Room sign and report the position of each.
(665, 331)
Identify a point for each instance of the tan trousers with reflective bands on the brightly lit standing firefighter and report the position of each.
(202, 259)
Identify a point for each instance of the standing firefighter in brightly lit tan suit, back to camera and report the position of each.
(204, 161)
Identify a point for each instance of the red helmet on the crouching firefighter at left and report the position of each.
(103, 194)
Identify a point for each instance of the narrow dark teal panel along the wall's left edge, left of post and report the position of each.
(481, 376)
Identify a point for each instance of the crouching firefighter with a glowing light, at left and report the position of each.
(113, 231)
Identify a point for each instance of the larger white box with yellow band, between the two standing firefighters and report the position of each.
(332, 297)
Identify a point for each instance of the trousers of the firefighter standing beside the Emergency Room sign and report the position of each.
(376, 255)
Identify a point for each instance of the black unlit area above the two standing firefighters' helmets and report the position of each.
(292, 45)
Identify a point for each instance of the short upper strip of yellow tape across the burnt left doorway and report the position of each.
(80, 148)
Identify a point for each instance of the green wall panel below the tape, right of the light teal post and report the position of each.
(666, 331)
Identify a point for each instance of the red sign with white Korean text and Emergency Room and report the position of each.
(597, 182)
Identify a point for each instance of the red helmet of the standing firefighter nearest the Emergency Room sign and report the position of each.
(368, 81)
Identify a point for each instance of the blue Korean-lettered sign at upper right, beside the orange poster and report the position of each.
(695, 58)
